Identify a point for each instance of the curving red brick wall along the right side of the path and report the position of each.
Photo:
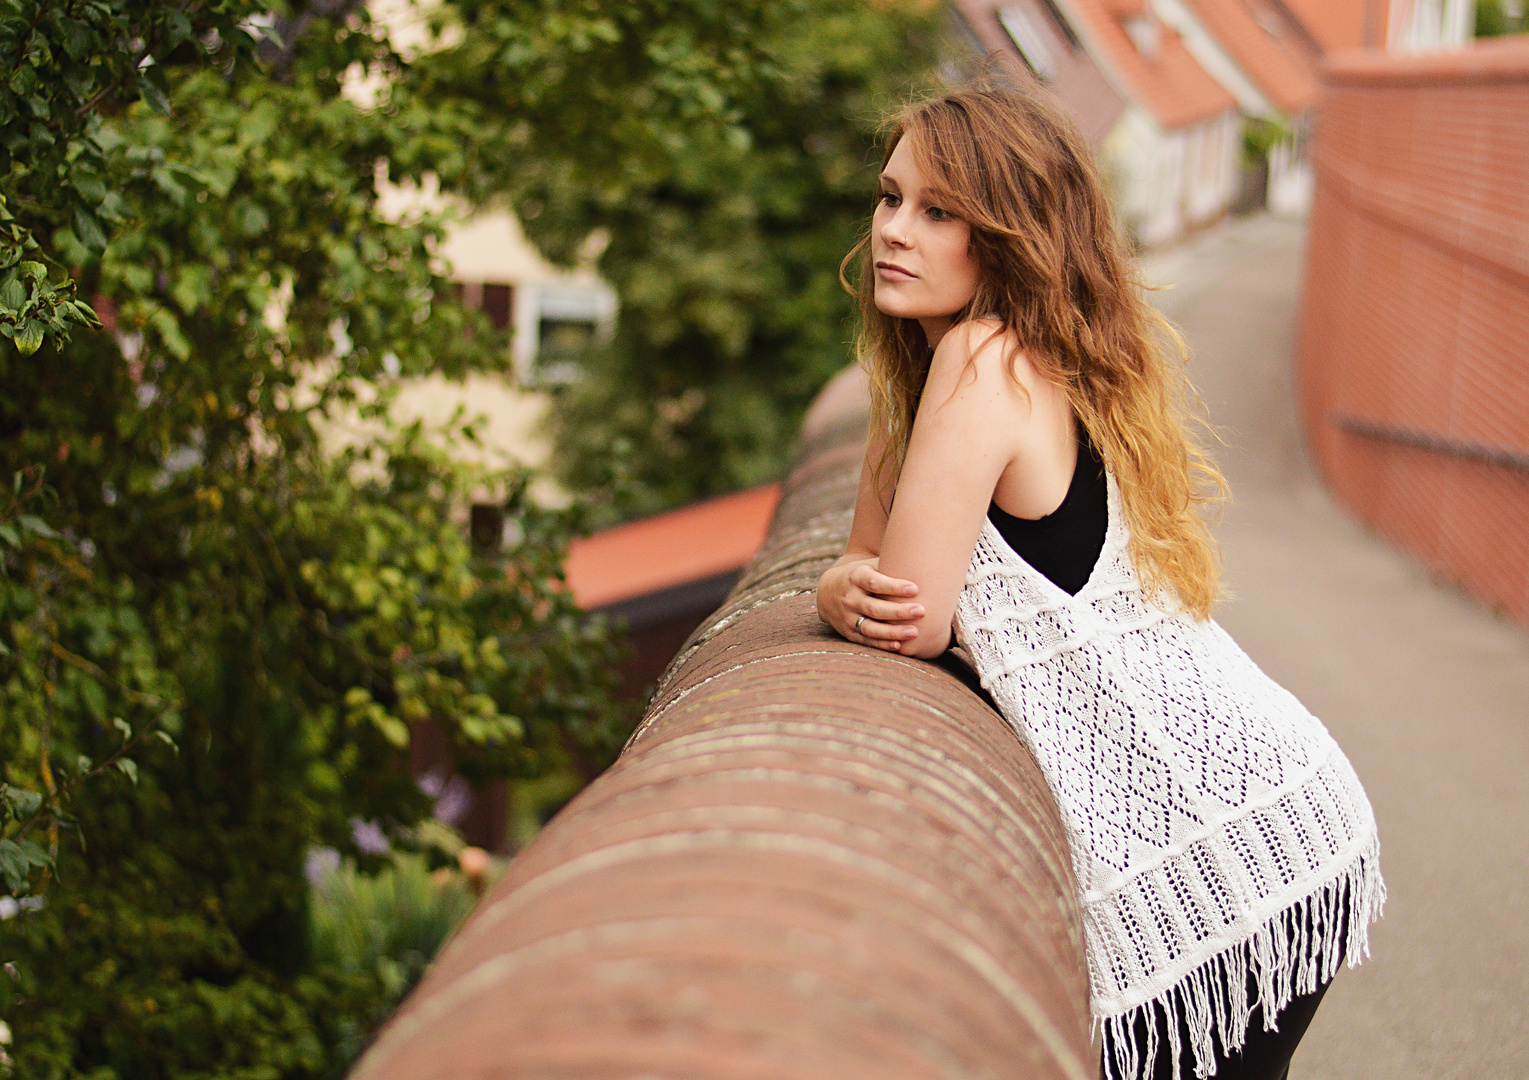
(1414, 357)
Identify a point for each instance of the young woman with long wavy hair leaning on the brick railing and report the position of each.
(1031, 490)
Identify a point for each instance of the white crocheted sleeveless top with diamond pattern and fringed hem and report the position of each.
(1224, 848)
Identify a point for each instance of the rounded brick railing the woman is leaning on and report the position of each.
(813, 862)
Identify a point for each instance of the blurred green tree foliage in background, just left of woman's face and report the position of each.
(724, 242)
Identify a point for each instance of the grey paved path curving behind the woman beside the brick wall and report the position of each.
(1427, 692)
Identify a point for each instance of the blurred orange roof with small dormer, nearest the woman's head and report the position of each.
(1172, 85)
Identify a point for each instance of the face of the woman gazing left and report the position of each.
(923, 255)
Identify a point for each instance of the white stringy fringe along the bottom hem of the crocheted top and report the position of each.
(1293, 954)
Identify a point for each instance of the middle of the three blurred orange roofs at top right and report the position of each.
(1267, 47)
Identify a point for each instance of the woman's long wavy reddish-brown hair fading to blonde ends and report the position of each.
(1054, 272)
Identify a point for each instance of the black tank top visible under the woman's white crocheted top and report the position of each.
(1066, 544)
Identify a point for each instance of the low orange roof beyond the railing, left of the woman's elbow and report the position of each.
(670, 550)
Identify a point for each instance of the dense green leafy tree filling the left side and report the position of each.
(215, 634)
